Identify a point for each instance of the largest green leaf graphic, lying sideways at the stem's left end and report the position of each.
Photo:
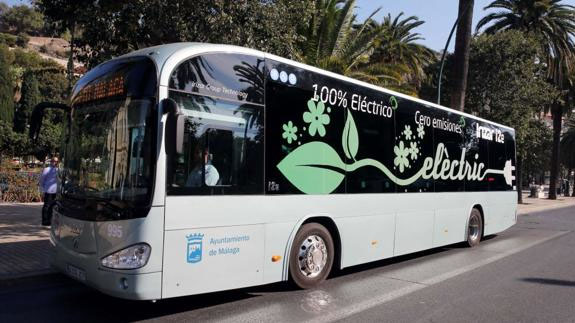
(313, 168)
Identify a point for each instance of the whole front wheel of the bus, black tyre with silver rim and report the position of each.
(303, 277)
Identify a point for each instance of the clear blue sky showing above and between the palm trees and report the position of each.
(439, 15)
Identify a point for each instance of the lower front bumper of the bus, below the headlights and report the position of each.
(86, 268)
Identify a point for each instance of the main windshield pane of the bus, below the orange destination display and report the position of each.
(108, 156)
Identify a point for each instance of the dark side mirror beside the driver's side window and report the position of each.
(175, 125)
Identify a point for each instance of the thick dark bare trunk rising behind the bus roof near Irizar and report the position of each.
(461, 57)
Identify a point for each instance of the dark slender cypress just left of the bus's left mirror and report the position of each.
(28, 100)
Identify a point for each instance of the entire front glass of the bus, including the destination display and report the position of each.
(108, 162)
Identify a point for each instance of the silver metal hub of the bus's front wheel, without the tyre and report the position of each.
(312, 256)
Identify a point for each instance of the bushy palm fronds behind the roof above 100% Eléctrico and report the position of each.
(336, 43)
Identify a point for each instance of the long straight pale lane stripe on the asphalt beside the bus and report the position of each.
(377, 301)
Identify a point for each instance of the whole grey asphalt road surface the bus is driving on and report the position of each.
(524, 274)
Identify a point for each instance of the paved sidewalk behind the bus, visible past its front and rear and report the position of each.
(25, 245)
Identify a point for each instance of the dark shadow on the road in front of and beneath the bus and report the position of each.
(48, 298)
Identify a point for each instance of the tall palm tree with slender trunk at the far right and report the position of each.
(553, 24)
